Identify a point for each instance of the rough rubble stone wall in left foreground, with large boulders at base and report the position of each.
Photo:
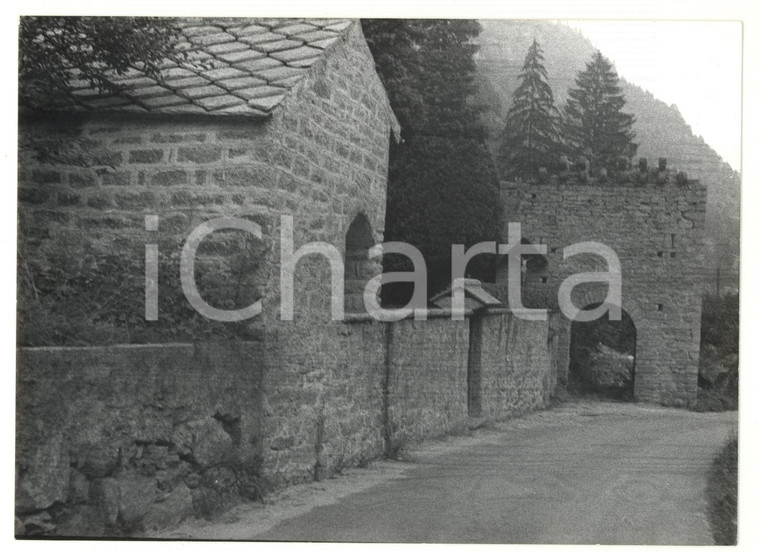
(117, 439)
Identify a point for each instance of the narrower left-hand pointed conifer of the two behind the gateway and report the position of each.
(531, 134)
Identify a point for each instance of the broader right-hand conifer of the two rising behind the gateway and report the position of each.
(594, 123)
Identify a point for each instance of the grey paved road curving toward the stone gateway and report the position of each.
(608, 474)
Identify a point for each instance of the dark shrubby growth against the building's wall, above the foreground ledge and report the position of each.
(76, 295)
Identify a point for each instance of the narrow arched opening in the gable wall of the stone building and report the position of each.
(358, 267)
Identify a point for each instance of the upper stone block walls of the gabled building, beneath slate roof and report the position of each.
(322, 158)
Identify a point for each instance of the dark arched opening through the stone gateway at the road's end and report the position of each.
(603, 357)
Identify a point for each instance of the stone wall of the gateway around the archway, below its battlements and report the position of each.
(657, 232)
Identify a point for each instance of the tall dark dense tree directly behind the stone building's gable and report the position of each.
(443, 186)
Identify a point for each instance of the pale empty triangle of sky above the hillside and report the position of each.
(693, 64)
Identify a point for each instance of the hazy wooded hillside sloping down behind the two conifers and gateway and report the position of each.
(661, 130)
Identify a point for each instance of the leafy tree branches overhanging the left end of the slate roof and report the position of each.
(55, 51)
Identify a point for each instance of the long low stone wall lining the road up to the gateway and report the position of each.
(116, 440)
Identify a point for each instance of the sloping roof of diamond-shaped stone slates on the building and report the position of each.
(233, 66)
